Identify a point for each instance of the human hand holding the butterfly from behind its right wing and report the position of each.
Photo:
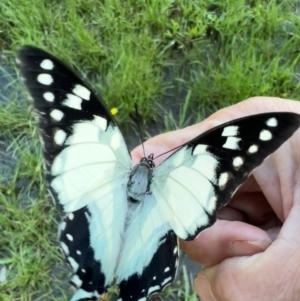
(252, 251)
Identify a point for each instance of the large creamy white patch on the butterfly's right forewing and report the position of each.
(186, 189)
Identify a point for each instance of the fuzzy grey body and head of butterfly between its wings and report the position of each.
(140, 179)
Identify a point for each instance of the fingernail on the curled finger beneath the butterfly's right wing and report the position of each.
(245, 247)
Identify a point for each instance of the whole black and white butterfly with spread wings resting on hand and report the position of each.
(122, 221)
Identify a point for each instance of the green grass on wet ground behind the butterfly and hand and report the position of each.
(179, 60)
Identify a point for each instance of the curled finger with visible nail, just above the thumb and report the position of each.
(226, 239)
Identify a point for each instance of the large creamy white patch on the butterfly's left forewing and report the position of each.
(81, 179)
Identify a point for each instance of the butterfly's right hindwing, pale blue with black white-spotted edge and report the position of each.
(149, 256)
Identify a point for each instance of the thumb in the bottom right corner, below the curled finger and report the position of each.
(235, 278)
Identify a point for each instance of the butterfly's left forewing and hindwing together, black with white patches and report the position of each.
(87, 167)
